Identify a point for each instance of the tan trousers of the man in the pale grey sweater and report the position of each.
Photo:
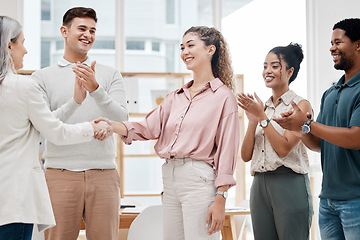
(93, 195)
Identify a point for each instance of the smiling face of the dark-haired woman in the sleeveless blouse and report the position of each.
(275, 74)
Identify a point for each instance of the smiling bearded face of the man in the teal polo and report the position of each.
(342, 50)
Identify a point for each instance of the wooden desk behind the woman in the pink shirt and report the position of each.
(228, 232)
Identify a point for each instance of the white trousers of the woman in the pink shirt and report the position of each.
(188, 193)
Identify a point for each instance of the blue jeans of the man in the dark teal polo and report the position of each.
(339, 220)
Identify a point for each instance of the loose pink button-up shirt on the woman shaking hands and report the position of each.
(205, 127)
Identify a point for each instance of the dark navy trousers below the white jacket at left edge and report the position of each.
(16, 231)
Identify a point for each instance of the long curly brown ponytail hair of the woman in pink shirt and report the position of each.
(221, 61)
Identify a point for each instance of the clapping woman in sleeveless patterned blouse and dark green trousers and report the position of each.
(280, 195)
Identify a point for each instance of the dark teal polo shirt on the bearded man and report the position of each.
(340, 107)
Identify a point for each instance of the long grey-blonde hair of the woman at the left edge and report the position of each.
(10, 30)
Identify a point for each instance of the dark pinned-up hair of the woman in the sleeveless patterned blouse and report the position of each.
(292, 54)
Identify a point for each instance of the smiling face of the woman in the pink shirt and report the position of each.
(194, 53)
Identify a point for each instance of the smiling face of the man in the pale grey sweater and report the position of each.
(79, 36)
